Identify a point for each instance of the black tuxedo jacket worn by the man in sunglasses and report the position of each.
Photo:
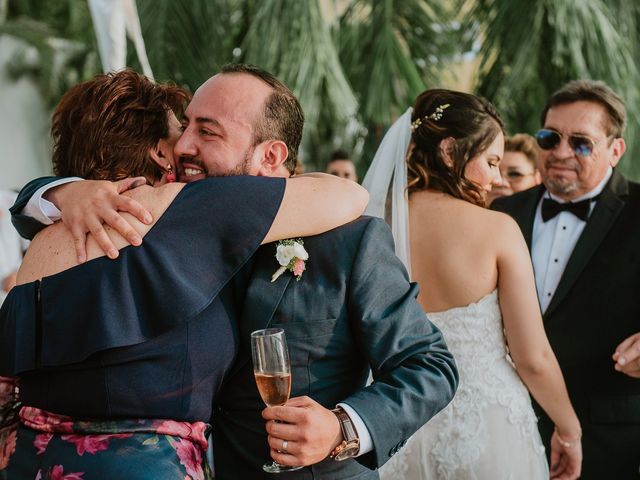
(595, 307)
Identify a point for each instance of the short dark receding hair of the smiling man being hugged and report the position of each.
(283, 118)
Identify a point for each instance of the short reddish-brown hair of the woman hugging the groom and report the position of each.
(104, 128)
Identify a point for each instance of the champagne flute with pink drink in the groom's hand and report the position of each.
(272, 370)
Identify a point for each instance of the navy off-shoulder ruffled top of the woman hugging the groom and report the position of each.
(152, 333)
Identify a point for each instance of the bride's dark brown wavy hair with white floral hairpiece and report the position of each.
(471, 121)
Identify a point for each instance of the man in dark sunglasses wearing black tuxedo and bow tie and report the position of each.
(583, 230)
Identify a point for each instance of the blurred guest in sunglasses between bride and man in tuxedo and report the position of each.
(518, 167)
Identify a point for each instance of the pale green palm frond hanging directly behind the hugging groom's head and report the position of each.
(292, 39)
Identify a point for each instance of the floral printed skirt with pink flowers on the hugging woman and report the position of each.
(40, 445)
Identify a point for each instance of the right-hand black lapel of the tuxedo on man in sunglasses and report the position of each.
(604, 214)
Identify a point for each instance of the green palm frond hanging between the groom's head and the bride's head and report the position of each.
(390, 50)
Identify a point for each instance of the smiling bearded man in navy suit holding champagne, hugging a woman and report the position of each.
(353, 311)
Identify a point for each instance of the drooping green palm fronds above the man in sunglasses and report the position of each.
(530, 48)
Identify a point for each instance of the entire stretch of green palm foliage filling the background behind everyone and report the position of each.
(358, 67)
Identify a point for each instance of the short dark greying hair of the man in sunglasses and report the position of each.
(592, 91)
